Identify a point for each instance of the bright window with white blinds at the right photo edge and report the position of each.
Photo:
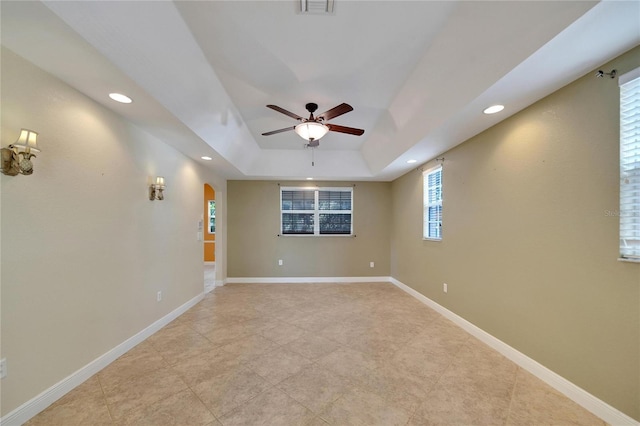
(630, 165)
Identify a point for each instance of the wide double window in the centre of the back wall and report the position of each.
(316, 211)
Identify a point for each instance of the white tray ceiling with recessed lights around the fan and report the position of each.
(418, 73)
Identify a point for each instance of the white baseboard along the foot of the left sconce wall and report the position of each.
(37, 404)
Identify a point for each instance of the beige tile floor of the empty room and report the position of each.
(312, 354)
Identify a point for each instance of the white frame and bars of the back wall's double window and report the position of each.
(316, 211)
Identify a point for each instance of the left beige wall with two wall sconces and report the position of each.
(84, 250)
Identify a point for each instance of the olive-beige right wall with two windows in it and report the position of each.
(529, 252)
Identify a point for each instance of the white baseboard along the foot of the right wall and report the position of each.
(598, 407)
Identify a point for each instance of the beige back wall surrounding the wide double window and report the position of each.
(254, 246)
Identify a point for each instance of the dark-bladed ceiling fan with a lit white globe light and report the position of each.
(313, 128)
